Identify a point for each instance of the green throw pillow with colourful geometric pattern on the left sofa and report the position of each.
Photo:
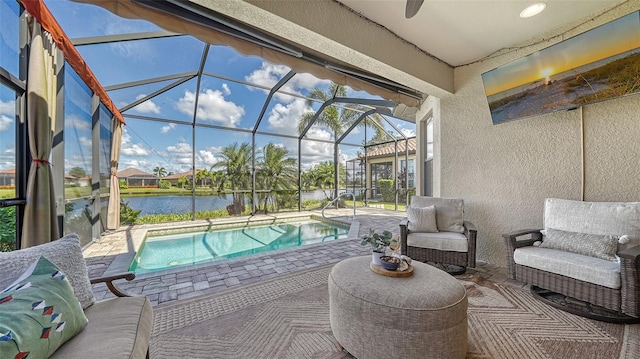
(38, 313)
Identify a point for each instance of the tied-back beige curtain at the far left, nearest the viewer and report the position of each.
(40, 223)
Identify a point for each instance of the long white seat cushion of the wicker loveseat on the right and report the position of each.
(585, 268)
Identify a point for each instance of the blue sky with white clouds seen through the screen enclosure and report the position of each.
(231, 101)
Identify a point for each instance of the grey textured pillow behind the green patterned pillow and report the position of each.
(65, 253)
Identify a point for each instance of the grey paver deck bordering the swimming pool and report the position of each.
(187, 282)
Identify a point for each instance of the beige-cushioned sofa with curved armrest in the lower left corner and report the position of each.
(119, 327)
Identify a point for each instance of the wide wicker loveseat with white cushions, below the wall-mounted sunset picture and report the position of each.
(595, 281)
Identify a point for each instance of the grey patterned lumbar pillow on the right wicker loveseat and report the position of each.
(599, 246)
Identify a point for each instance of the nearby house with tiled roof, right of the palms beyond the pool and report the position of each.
(381, 164)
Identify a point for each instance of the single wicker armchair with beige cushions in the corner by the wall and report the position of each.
(454, 243)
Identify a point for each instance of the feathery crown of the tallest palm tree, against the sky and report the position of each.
(335, 118)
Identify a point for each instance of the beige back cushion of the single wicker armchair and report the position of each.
(449, 211)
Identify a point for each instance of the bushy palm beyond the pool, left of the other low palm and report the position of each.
(236, 165)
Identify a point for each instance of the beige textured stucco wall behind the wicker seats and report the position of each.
(505, 172)
